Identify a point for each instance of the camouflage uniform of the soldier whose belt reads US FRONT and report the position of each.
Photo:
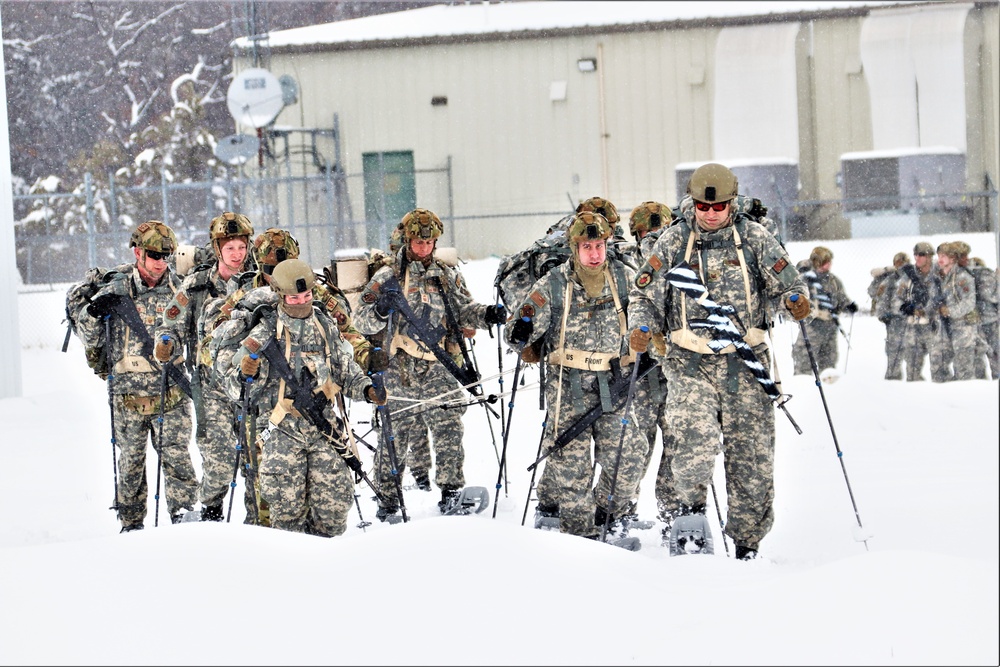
(594, 329)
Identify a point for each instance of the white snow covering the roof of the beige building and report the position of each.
(482, 18)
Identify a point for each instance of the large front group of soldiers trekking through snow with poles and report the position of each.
(273, 349)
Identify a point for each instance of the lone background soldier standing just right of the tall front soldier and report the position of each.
(829, 300)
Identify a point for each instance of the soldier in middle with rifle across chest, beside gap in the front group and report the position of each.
(438, 294)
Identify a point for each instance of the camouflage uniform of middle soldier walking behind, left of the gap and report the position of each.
(414, 373)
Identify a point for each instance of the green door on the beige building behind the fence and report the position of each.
(390, 193)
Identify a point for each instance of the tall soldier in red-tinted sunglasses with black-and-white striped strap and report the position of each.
(714, 395)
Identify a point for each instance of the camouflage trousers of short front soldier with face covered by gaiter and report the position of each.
(305, 482)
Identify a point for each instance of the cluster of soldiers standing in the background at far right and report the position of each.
(943, 313)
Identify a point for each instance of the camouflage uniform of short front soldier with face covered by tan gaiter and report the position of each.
(305, 482)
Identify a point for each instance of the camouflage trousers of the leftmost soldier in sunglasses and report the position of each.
(133, 433)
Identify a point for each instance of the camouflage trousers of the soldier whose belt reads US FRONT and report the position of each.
(567, 479)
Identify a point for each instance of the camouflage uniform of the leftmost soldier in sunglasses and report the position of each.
(136, 403)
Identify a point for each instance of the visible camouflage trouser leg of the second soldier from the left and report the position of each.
(217, 444)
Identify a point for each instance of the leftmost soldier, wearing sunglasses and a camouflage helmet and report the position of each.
(135, 390)
